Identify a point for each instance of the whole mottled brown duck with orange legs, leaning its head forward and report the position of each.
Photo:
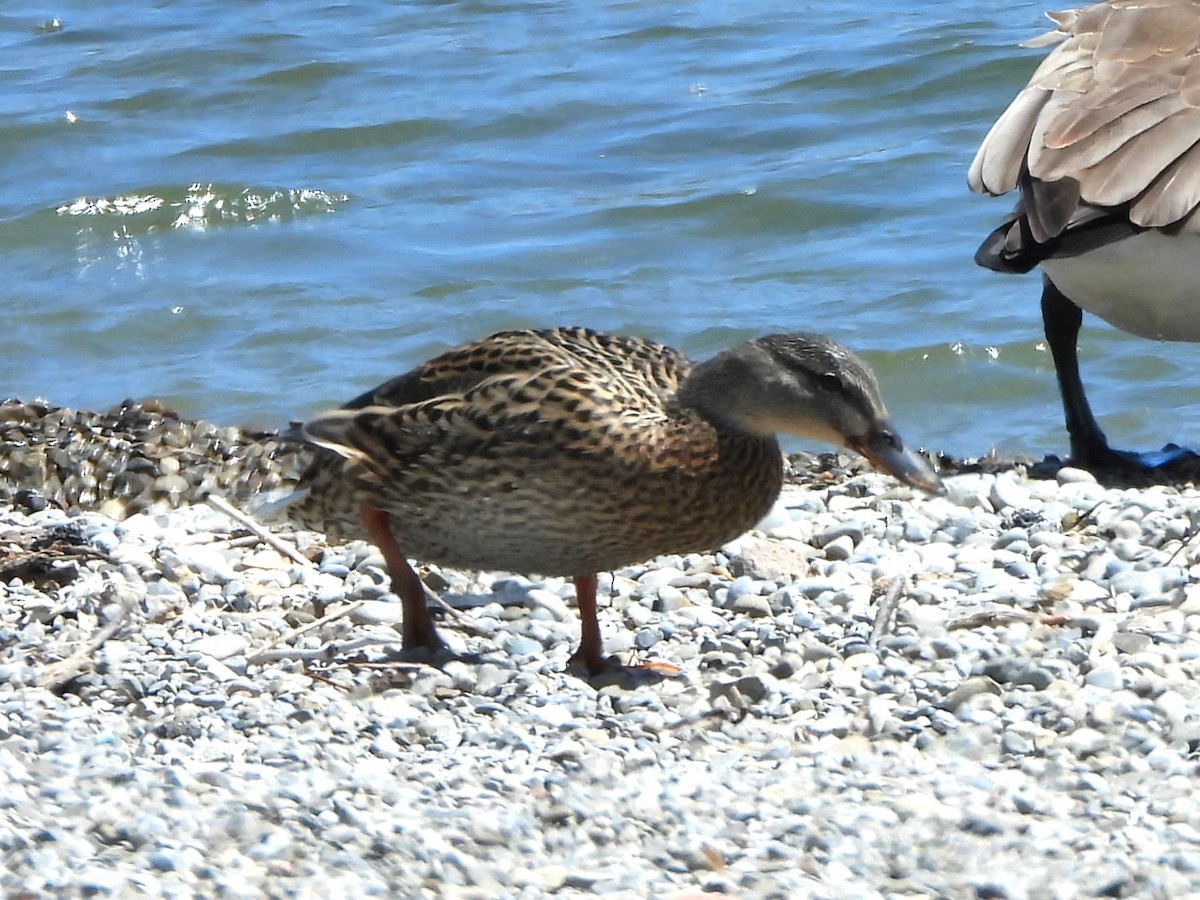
(571, 453)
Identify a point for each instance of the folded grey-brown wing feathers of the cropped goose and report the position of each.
(1111, 119)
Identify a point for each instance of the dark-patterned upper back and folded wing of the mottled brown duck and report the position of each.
(565, 393)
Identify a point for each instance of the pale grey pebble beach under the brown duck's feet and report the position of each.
(988, 694)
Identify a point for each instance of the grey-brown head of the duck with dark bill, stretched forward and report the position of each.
(813, 388)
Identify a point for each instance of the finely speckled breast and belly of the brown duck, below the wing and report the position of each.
(571, 515)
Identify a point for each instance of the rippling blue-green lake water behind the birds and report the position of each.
(256, 212)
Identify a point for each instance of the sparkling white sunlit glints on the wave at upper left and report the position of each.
(206, 206)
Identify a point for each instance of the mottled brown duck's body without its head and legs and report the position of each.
(559, 452)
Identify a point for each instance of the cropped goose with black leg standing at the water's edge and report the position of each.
(1105, 147)
